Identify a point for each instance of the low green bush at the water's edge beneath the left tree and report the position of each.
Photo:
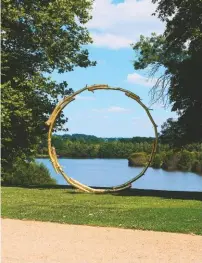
(27, 173)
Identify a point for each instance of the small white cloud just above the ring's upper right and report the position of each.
(138, 79)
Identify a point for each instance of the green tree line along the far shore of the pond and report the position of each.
(136, 150)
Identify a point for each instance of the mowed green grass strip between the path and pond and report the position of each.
(135, 212)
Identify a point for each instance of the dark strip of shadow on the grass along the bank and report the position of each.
(129, 192)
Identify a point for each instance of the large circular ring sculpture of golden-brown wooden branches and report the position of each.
(52, 153)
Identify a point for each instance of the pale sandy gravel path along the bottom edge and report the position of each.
(38, 242)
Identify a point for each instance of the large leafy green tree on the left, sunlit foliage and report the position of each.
(38, 37)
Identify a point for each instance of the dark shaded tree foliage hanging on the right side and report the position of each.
(177, 56)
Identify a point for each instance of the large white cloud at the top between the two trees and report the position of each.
(117, 25)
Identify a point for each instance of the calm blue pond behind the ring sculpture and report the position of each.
(111, 172)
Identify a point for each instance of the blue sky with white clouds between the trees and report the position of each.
(115, 25)
